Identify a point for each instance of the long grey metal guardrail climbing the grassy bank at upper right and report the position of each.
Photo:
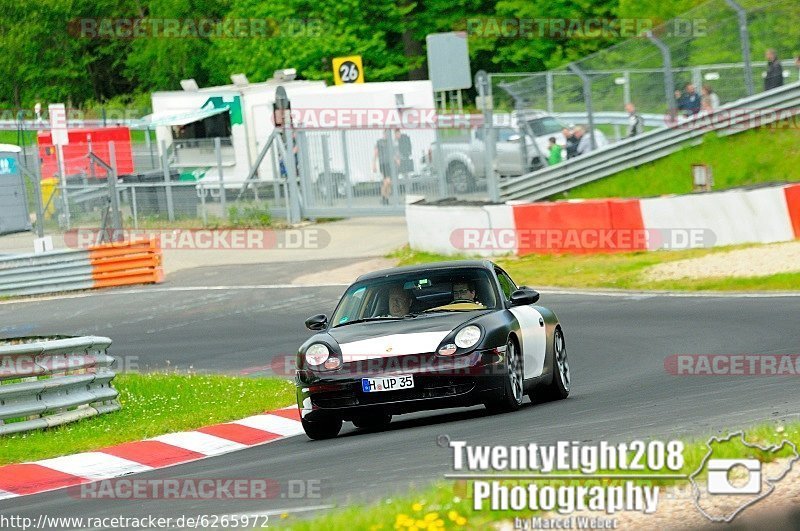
(761, 109)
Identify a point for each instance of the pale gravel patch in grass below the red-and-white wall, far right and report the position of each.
(762, 260)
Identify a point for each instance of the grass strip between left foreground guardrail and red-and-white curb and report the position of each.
(153, 404)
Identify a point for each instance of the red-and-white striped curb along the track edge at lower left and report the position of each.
(142, 456)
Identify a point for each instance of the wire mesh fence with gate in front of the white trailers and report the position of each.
(338, 173)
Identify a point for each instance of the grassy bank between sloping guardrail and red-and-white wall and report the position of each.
(751, 157)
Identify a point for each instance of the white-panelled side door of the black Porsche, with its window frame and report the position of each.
(532, 329)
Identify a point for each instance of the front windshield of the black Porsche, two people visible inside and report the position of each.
(407, 295)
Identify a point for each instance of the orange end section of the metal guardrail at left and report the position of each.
(126, 263)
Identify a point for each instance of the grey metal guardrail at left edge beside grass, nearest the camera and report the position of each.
(46, 382)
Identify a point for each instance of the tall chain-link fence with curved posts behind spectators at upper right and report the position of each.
(713, 46)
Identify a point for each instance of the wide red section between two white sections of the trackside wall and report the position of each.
(602, 226)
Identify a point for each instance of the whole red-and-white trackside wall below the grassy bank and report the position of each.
(763, 215)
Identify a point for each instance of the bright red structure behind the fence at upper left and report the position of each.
(75, 159)
